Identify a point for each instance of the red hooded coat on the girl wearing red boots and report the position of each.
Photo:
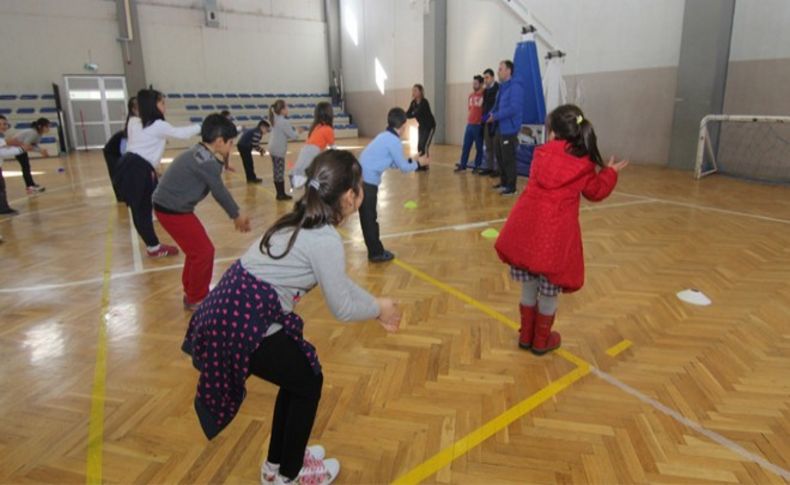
(542, 233)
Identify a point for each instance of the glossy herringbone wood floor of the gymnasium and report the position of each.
(391, 402)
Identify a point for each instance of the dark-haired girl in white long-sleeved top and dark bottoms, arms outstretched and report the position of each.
(136, 176)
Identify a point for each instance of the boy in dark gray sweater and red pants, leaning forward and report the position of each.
(188, 180)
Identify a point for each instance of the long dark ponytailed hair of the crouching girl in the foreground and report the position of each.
(334, 172)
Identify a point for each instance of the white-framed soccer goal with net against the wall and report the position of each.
(745, 146)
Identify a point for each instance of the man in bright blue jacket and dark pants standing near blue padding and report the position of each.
(507, 113)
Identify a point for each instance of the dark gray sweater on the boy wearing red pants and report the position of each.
(189, 179)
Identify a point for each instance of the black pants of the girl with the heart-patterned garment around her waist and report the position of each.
(280, 361)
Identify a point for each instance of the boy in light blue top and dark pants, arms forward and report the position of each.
(383, 153)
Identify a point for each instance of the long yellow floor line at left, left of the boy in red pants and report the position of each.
(96, 425)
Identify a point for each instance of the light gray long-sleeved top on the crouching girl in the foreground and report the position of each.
(317, 258)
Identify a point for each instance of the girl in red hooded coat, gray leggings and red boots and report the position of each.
(541, 240)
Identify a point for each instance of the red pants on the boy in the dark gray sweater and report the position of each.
(191, 237)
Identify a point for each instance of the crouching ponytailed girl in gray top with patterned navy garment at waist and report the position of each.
(247, 325)
